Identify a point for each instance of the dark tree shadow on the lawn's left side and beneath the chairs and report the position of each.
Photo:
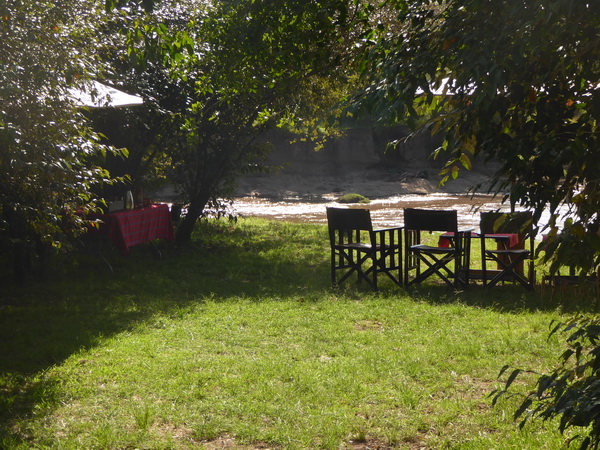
(44, 323)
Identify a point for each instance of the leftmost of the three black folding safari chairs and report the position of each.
(357, 248)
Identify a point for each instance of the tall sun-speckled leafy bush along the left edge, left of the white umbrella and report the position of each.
(46, 146)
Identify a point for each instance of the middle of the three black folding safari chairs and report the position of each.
(449, 262)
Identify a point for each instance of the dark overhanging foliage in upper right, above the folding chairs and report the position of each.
(519, 84)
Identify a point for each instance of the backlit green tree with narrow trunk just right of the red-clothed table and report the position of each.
(221, 81)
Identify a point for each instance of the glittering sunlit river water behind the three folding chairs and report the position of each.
(385, 212)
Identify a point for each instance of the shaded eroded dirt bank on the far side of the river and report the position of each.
(358, 162)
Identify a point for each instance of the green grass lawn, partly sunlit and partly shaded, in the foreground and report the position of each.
(239, 341)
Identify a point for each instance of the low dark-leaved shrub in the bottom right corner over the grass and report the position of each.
(572, 390)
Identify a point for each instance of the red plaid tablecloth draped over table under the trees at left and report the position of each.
(137, 226)
